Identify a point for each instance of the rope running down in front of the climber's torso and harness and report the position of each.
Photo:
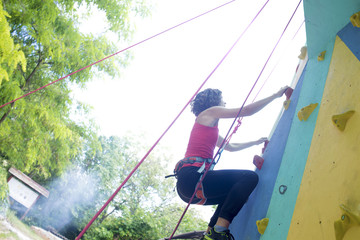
(226, 139)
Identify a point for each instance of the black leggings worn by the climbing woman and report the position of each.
(230, 189)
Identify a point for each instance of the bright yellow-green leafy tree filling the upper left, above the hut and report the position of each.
(38, 134)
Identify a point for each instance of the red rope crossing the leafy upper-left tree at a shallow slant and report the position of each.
(178, 25)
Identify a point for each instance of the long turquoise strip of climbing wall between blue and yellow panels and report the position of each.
(285, 191)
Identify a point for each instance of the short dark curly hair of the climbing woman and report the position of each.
(206, 99)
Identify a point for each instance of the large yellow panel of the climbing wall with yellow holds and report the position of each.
(332, 173)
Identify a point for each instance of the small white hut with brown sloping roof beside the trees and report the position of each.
(24, 190)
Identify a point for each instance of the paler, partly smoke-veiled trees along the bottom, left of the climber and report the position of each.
(143, 209)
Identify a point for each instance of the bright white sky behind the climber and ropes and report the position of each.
(167, 70)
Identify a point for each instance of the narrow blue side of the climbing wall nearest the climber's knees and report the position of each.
(243, 226)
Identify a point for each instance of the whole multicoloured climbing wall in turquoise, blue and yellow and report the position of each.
(313, 185)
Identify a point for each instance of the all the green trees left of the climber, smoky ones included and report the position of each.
(41, 42)
